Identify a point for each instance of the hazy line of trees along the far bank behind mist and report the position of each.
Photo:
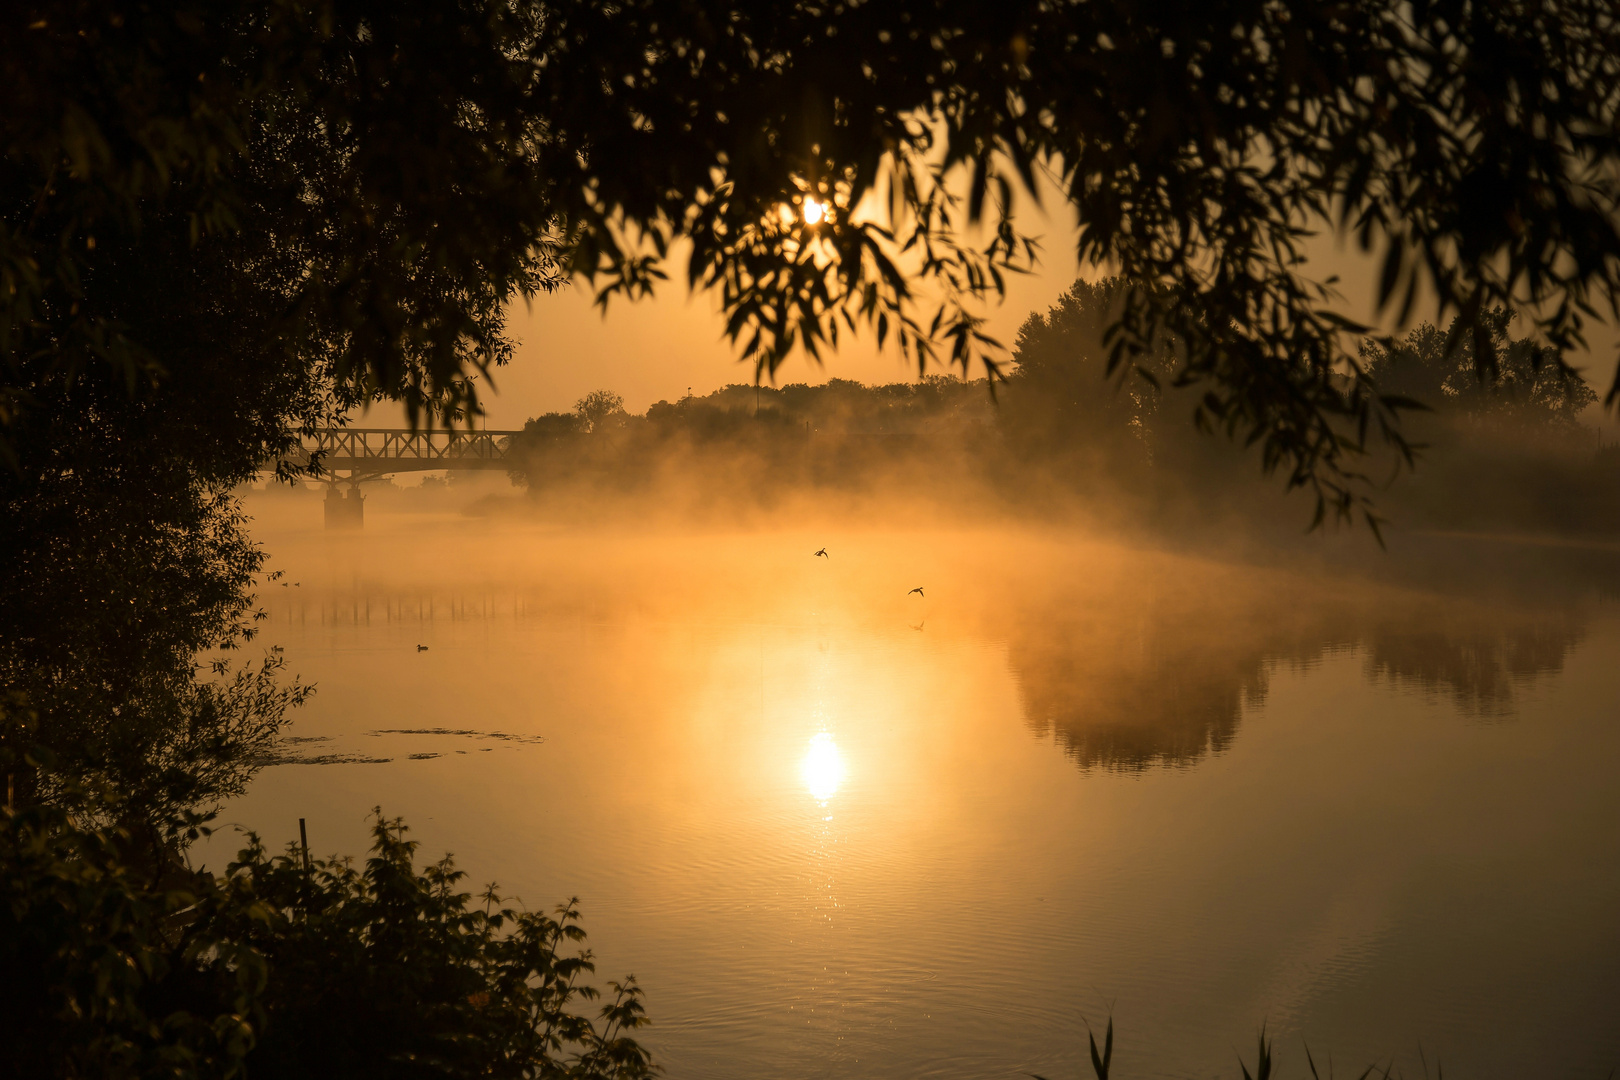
(1070, 422)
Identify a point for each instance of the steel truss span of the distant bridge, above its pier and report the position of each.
(373, 453)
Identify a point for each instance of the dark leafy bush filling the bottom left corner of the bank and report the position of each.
(117, 967)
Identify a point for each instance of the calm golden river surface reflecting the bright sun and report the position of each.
(842, 831)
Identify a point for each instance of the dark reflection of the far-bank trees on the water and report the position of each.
(1170, 684)
